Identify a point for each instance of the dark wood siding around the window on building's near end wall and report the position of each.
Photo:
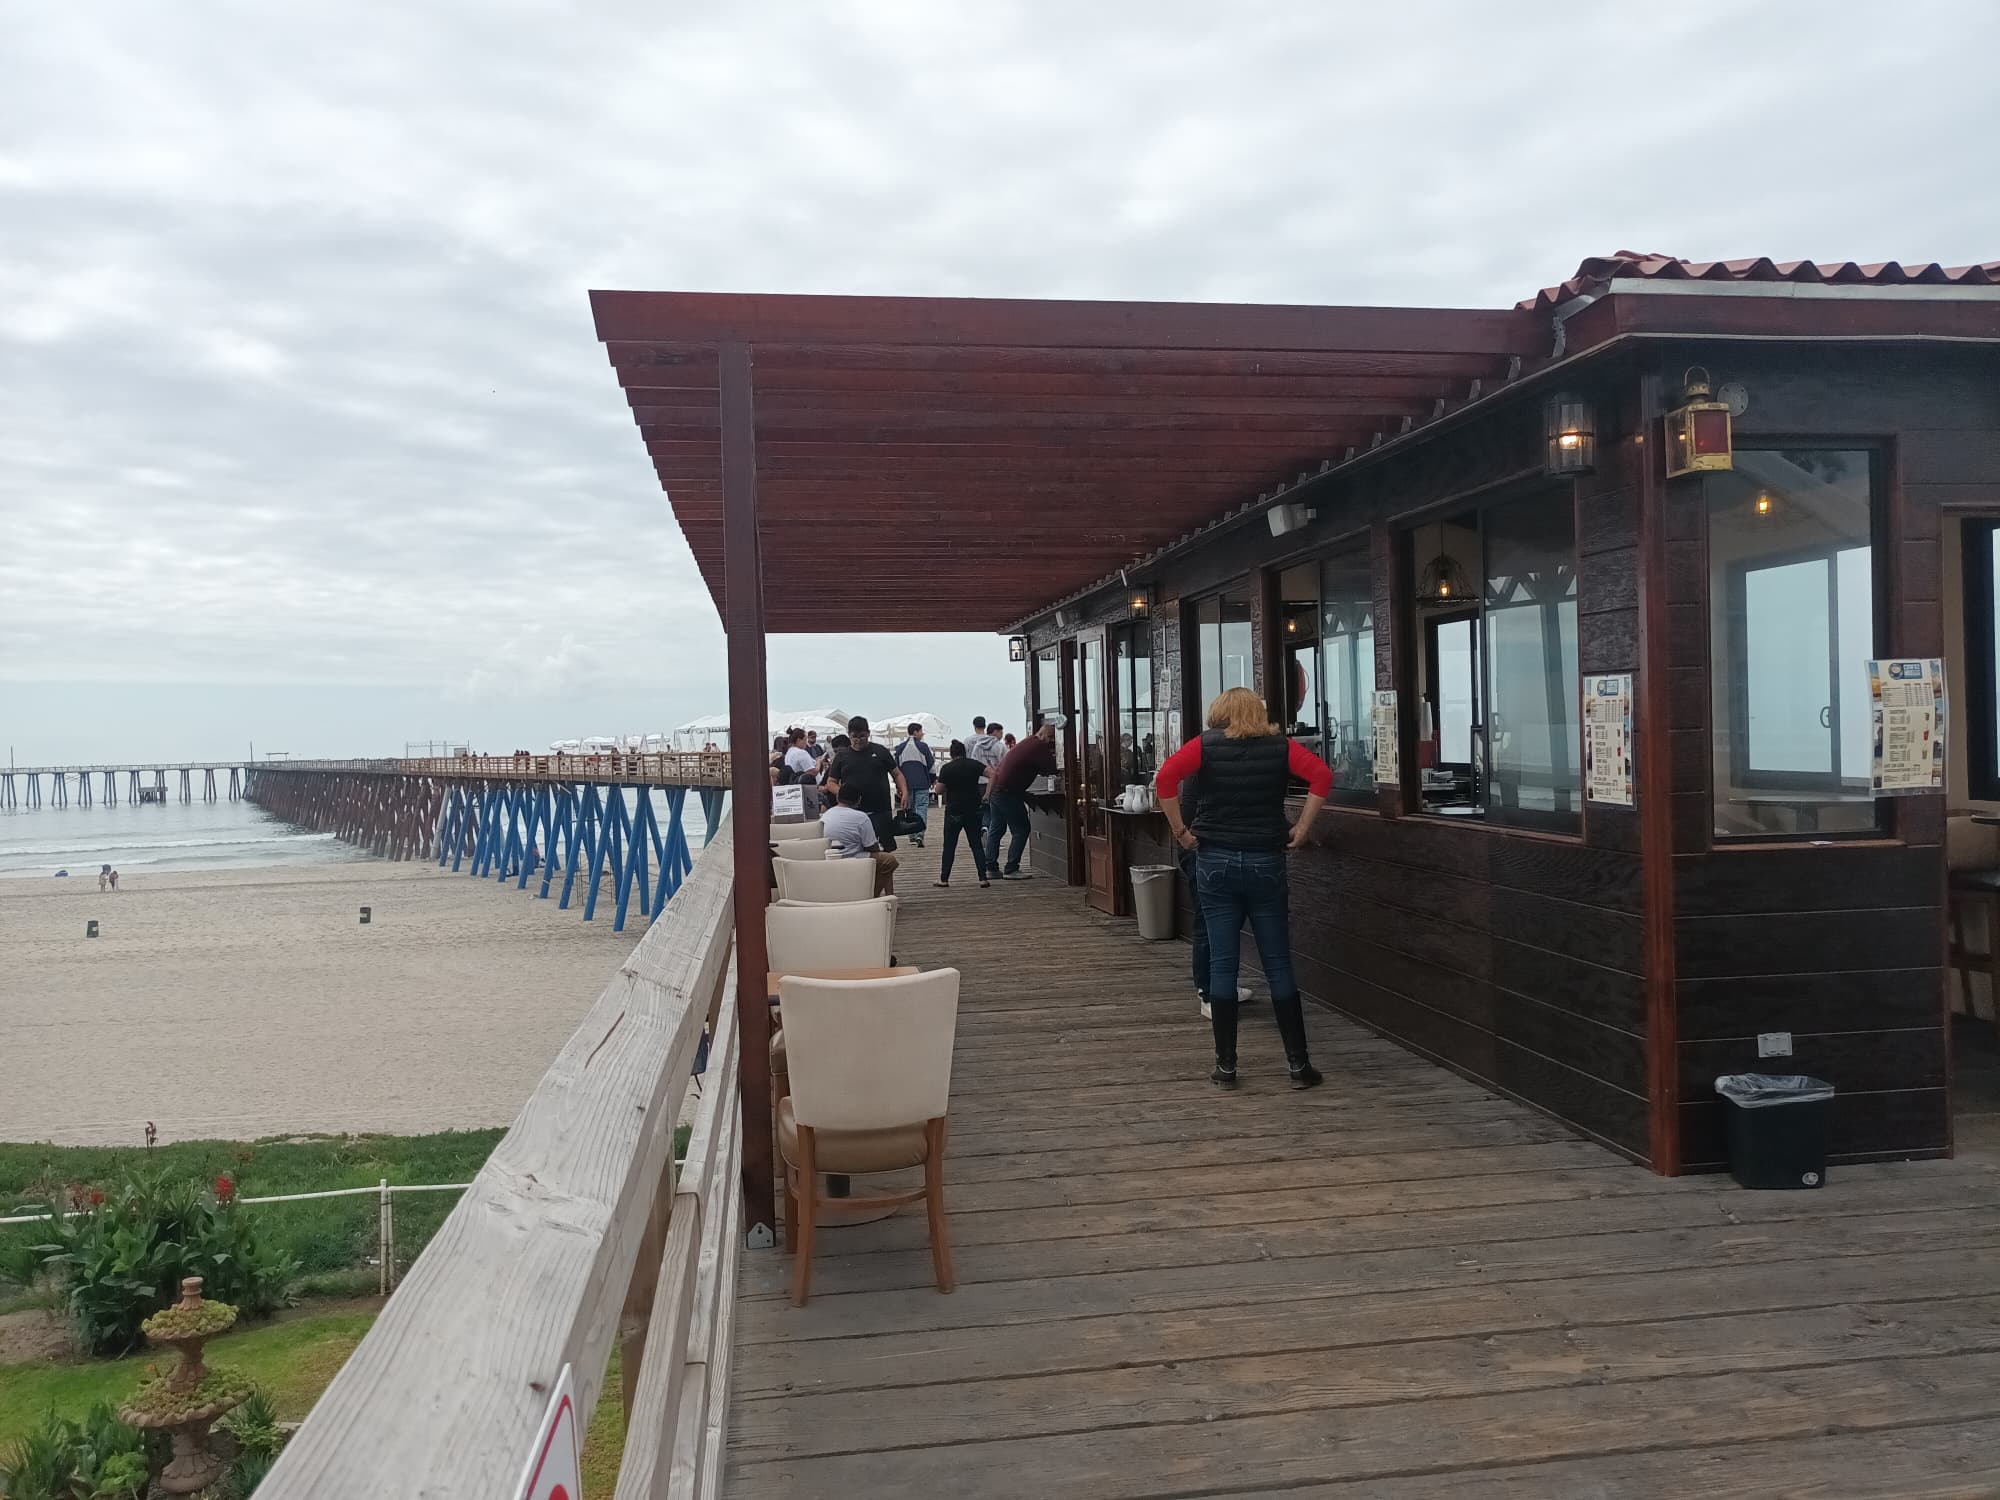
(1837, 945)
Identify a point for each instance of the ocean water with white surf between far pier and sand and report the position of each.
(35, 843)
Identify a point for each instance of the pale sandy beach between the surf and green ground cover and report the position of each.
(253, 1003)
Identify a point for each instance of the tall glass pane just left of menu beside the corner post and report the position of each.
(1533, 681)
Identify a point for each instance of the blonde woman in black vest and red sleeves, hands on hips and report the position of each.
(1243, 769)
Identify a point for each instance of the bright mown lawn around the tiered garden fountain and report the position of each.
(291, 1361)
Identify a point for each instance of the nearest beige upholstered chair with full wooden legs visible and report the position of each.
(871, 1089)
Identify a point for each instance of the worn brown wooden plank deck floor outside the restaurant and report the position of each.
(1393, 1287)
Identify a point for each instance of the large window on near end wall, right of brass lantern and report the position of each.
(1791, 589)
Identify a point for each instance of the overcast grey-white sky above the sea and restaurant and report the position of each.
(303, 423)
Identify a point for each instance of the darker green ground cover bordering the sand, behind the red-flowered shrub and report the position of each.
(327, 1239)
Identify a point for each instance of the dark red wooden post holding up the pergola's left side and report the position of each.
(743, 623)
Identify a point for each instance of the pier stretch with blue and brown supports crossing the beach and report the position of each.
(523, 819)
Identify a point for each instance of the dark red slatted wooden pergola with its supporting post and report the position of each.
(973, 461)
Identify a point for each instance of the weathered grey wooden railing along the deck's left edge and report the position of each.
(577, 1231)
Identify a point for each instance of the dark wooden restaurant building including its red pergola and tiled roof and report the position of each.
(1705, 495)
